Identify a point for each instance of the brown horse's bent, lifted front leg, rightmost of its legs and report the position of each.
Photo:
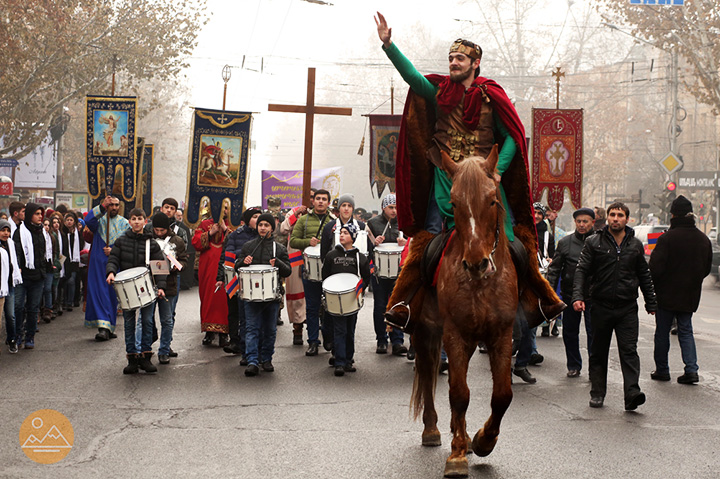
(500, 354)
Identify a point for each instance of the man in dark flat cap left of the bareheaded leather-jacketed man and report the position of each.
(562, 269)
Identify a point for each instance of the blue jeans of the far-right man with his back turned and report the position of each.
(663, 323)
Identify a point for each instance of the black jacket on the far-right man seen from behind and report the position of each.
(680, 261)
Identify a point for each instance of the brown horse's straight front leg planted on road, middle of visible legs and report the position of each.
(459, 352)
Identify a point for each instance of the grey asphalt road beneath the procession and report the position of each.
(201, 417)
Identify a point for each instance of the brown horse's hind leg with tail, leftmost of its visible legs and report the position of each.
(427, 359)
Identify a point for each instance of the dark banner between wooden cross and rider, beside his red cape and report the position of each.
(384, 133)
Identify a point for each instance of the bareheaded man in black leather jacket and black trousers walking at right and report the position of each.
(613, 262)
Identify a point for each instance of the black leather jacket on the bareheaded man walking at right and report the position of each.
(614, 272)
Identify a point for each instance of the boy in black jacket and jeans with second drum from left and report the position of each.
(261, 317)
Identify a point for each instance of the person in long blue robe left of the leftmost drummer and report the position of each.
(101, 309)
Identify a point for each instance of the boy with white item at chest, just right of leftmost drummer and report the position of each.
(173, 246)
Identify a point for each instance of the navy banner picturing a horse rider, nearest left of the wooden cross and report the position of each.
(217, 168)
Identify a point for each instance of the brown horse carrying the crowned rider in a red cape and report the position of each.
(476, 300)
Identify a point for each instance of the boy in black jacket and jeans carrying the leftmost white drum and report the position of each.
(129, 252)
